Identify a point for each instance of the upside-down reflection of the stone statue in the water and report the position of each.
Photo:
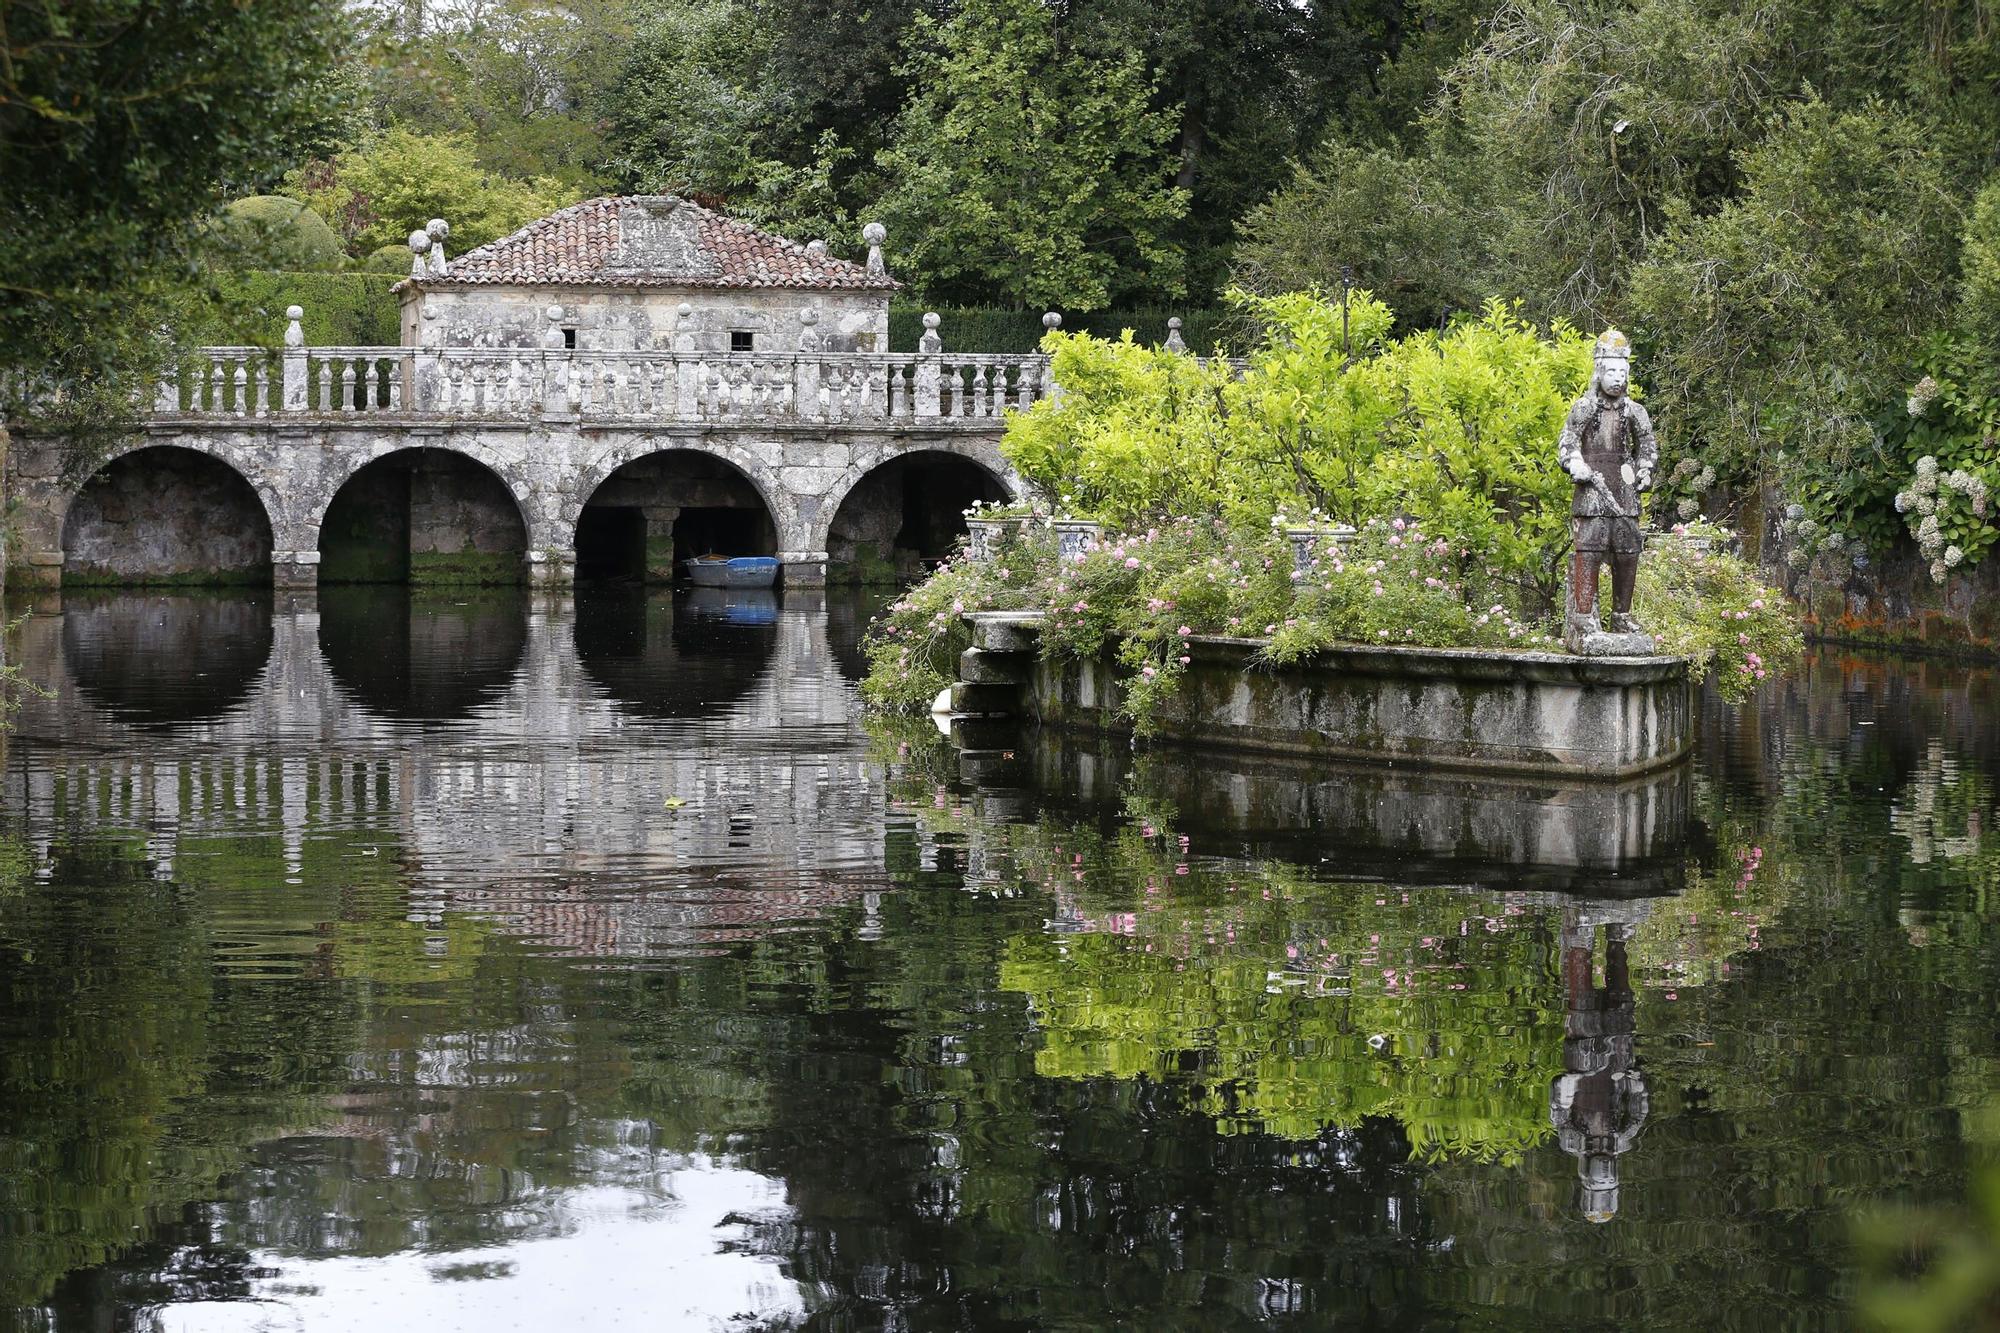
(1601, 1104)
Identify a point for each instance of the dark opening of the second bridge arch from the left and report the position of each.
(423, 517)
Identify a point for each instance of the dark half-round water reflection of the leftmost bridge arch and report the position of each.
(161, 661)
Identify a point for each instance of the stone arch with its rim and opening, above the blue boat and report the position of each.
(649, 505)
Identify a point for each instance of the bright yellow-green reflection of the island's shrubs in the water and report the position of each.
(1303, 1010)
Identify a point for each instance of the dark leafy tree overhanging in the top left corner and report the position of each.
(123, 125)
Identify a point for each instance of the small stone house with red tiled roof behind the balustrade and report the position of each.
(647, 273)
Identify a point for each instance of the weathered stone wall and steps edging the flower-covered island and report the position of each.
(1451, 710)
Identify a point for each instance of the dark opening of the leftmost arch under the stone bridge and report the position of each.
(167, 515)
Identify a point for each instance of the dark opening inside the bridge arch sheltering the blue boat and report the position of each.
(663, 509)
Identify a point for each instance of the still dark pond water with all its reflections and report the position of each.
(505, 964)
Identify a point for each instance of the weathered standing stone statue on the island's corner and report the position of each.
(1609, 451)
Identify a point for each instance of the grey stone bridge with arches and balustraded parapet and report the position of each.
(501, 465)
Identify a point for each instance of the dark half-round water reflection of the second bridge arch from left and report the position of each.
(415, 653)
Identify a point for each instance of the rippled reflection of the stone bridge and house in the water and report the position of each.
(529, 782)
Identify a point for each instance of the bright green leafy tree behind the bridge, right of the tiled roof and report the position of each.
(1031, 167)
